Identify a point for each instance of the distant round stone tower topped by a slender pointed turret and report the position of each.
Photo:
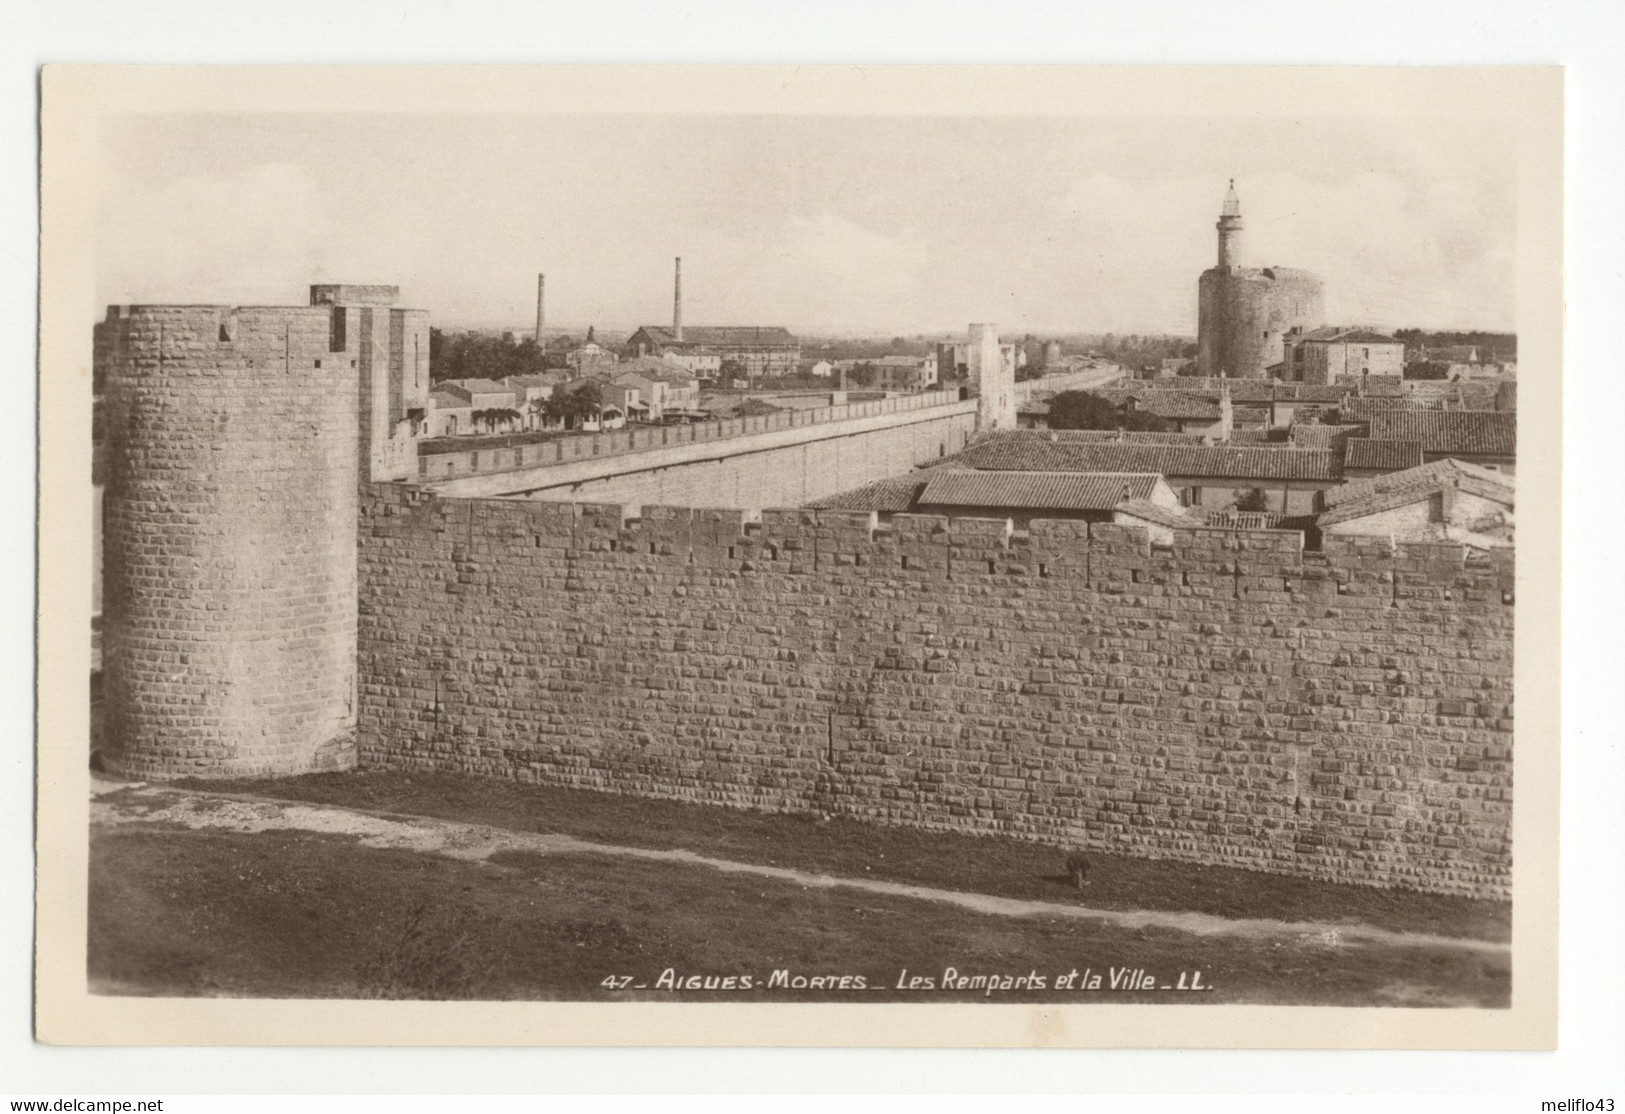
(1244, 314)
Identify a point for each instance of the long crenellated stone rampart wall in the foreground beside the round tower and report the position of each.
(1228, 701)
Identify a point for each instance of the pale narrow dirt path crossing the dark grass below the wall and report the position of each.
(124, 803)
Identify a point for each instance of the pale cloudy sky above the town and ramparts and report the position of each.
(851, 225)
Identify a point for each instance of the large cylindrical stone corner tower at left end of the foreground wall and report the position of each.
(230, 519)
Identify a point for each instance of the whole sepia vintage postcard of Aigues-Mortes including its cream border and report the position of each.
(800, 556)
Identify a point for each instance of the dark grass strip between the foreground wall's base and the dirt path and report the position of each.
(854, 848)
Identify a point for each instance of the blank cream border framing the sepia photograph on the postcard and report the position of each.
(74, 100)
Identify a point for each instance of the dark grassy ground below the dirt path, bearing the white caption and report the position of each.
(181, 912)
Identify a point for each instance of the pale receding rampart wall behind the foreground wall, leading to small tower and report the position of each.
(763, 462)
